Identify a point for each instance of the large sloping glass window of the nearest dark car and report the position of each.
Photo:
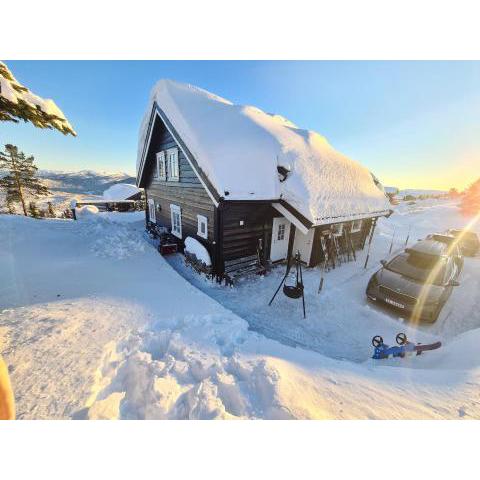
(422, 268)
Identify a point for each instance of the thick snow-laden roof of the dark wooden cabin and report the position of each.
(239, 148)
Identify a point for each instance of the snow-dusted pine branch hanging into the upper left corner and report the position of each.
(17, 102)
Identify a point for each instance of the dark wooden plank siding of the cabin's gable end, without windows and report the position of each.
(188, 193)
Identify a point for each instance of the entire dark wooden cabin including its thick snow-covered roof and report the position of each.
(249, 184)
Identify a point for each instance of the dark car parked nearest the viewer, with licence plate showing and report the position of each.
(418, 281)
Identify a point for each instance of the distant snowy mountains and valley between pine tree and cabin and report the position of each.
(87, 182)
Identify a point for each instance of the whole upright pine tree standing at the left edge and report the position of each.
(20, 176)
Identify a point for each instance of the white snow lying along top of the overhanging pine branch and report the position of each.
(13, 91)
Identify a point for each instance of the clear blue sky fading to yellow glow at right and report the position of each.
(414, 124)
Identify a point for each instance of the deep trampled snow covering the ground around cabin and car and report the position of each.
(95, 324)
